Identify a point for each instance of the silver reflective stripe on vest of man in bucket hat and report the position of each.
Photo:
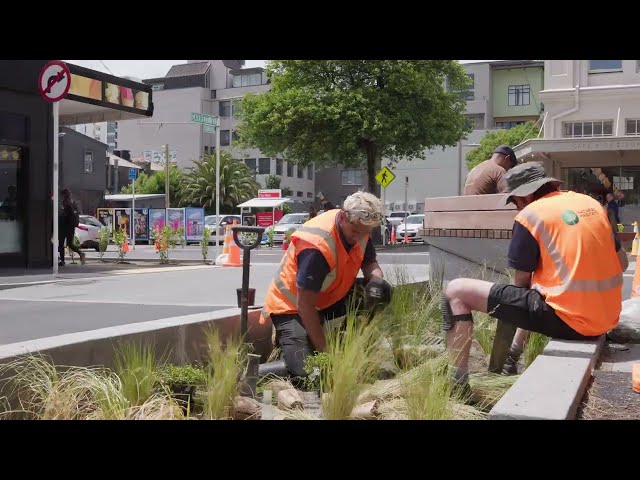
(567, 284)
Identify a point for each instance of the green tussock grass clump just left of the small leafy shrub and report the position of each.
(135, 364)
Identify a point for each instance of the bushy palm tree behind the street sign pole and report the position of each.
(237, 183)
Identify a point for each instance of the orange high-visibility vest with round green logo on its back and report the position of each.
(579, 273)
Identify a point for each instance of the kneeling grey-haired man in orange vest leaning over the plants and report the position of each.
(318, 272)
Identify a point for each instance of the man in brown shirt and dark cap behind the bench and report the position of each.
(488, 177)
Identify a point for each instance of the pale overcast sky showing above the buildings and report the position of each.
(154, 68)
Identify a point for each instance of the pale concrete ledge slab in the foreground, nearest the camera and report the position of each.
(550, 389)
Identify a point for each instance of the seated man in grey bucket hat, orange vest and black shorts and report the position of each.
(568, 271)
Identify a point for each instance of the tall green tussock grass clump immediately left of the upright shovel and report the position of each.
(222, 374)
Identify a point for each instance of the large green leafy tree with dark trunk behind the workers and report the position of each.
(354, 112)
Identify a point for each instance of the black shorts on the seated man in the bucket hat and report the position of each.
(525, 308)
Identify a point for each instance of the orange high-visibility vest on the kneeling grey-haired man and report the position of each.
(321, 233)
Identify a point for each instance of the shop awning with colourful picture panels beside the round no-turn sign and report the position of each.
(99, 97)
